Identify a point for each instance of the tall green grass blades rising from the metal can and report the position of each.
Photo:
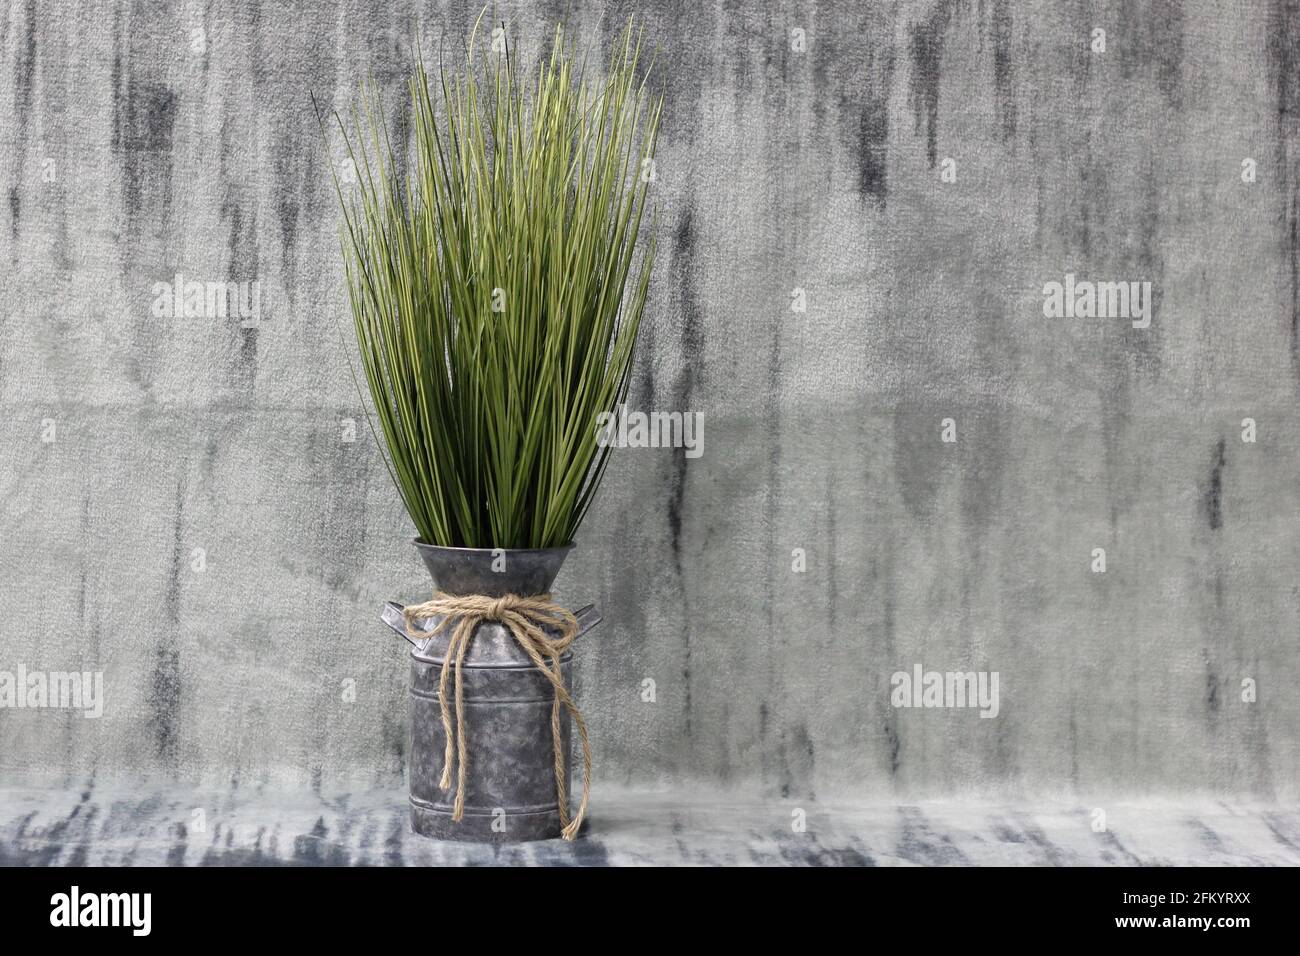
(497, 287)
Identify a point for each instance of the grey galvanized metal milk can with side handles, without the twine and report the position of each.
(510, 786)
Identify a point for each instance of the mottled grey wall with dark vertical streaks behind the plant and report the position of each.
(131, 154)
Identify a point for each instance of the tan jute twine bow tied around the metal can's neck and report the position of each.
(526, 620)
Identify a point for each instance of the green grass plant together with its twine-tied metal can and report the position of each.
(497, 271)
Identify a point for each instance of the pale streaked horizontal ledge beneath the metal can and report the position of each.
(188, 828)
